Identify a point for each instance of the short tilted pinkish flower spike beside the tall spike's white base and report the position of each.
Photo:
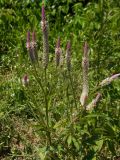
(94, 102)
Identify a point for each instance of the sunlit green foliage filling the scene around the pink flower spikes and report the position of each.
(87, 136)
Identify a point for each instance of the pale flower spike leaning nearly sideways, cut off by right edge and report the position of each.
(109, 80)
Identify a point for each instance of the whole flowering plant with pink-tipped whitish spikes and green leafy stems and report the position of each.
(57, 99)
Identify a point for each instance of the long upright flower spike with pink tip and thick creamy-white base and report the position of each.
(85, 66)
